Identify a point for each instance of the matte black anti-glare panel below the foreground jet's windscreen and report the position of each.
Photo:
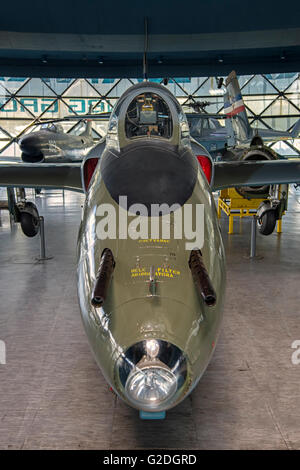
(150, 173)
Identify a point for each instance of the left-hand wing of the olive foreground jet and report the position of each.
(41, 175)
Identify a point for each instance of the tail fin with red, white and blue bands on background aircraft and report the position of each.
(234, 107)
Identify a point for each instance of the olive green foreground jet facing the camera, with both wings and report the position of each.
(151, 305)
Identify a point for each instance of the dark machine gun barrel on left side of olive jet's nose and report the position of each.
(103, 278)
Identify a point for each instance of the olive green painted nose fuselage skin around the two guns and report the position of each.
(132, 313)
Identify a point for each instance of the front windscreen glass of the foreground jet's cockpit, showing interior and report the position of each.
(148, 115)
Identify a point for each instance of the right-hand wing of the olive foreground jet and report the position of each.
(255, 173)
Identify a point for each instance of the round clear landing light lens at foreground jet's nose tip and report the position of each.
(151, 386)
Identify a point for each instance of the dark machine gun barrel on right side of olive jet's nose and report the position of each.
(201, 278)
